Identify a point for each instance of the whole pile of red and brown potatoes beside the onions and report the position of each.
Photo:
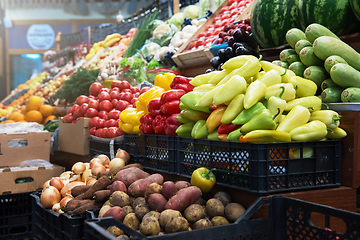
(147, 204)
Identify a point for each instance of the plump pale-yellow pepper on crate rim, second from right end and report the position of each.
(312, 131)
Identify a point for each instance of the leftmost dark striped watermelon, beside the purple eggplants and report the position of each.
(271, 19)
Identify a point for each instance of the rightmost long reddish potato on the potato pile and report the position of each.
(183, 198)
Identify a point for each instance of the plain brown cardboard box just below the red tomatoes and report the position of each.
(74, 137)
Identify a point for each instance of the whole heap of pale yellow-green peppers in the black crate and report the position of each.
(242, 103)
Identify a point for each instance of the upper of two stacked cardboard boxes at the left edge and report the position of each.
(37, 147)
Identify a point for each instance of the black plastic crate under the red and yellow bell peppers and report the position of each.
(152, 151)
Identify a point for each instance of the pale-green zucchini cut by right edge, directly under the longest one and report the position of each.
(345, 76)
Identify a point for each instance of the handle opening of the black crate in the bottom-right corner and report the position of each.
(328, 223)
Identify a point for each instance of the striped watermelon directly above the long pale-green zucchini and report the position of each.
(336, 15)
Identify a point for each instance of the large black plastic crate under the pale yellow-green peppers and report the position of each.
(262, 168)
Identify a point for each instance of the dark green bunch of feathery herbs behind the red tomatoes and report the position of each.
(78, 84)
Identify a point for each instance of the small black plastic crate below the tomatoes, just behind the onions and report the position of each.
(97, 147)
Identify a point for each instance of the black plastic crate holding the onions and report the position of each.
(48, 225)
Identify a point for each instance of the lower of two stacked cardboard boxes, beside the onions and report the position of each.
(12, 181)
